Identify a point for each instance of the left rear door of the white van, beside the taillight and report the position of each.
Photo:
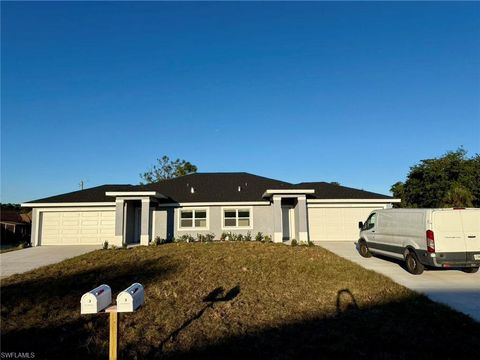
(449, 236)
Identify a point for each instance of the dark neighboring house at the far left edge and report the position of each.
(15, 226)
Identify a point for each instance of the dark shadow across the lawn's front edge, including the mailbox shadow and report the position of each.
(389, 330)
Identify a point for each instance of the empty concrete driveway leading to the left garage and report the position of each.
(20, 261)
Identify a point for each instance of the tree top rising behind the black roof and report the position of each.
(167, 169)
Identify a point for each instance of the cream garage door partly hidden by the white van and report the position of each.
(336, 224)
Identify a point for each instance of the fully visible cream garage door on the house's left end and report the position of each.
(77, 227)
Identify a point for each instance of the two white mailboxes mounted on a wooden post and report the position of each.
(99, 301)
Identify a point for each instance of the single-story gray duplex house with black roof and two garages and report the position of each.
(203, 203)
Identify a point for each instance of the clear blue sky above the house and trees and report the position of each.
(347, 92)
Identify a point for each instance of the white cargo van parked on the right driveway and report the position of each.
(424, 237)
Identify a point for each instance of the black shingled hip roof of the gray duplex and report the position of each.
(215, 187)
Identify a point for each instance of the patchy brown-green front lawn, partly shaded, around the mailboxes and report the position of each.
(230, 300)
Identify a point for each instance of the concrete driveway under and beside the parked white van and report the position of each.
(455, 288)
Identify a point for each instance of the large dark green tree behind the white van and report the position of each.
(452, 180)
